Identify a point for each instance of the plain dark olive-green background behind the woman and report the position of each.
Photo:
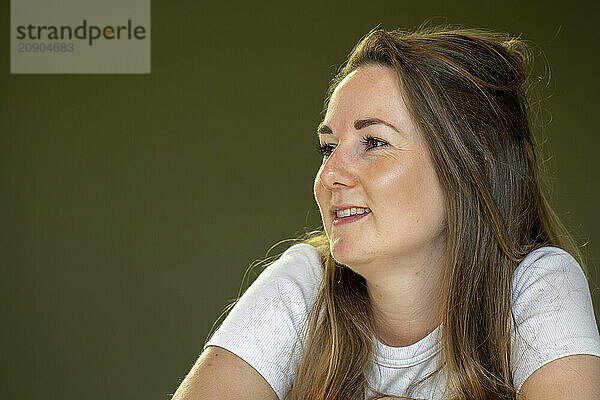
(132, 205)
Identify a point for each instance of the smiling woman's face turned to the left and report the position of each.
(375, 159)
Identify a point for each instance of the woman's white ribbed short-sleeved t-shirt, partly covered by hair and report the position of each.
(551, 303)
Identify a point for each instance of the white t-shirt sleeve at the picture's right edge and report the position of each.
(553, 312)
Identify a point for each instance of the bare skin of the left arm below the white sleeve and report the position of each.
(219, 374)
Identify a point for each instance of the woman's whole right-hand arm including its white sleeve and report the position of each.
(556, 353)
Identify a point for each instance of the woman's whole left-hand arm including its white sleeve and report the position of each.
(255, 351)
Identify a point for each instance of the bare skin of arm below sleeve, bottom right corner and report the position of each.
(567, 378)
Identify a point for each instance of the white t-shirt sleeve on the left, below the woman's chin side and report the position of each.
(266, 325)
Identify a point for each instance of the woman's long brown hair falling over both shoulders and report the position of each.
(465, 90)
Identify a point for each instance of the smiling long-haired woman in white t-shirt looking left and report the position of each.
(442, 272)
